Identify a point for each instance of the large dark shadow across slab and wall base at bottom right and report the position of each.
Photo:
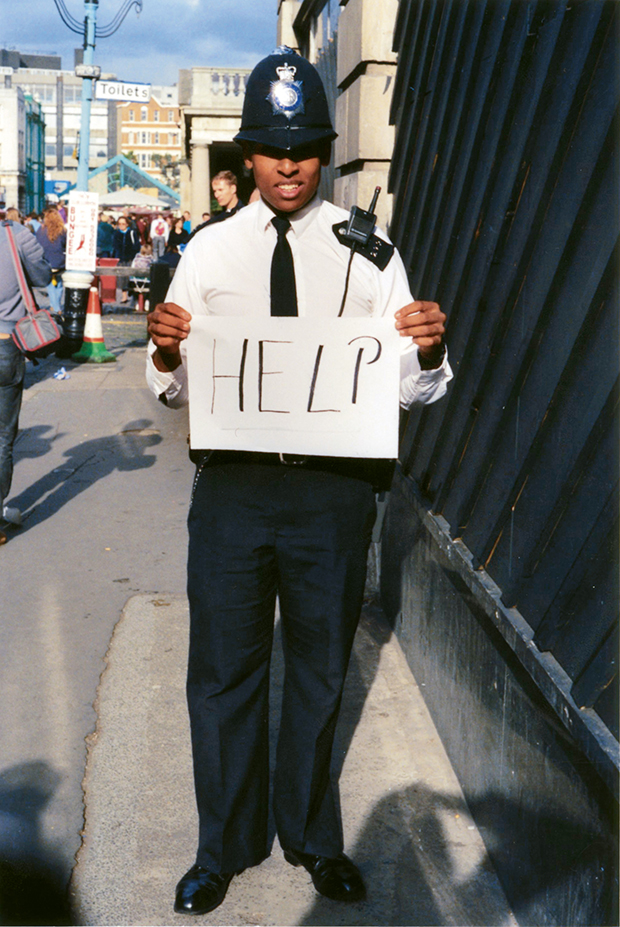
(406, 856)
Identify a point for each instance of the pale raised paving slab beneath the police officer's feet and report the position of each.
(406, 822)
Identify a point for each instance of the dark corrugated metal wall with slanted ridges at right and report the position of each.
(505, 182)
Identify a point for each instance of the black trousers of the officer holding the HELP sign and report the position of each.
(257, 532)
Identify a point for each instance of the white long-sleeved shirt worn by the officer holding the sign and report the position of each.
(226, 270)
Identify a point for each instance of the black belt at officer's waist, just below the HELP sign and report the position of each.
(378, 472)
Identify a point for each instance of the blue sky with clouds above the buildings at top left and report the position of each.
(167, 35)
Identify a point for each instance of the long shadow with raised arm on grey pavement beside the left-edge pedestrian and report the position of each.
(84, 465)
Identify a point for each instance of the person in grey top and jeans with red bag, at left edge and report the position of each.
(12, 362)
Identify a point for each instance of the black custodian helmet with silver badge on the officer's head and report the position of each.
(285, 104)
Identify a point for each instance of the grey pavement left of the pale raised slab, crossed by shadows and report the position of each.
(103, 480)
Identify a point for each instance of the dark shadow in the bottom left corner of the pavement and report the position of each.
(33, 884)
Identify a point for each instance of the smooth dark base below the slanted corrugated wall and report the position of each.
(547, 815)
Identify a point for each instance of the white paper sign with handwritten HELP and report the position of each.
(328, 387)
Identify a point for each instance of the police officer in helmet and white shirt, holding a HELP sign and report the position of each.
(265, 525)
